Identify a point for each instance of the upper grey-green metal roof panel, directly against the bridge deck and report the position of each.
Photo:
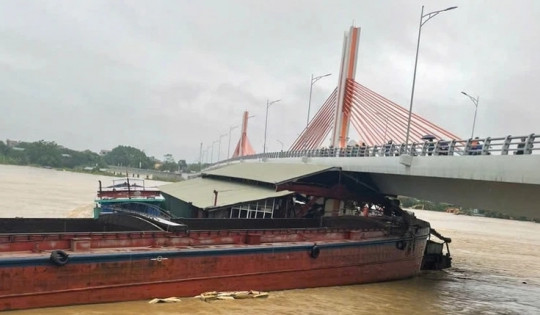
(273, 173)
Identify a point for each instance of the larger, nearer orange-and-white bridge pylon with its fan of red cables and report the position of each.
(375, 119)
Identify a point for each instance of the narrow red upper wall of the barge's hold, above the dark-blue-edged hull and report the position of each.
(135, 240)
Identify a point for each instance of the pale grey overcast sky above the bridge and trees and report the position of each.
(164, 76)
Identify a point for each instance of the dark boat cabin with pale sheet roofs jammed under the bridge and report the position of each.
(272, 190)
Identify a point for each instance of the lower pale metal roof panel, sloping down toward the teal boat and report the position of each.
(200, 192)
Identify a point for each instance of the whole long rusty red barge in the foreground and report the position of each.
(74, 266)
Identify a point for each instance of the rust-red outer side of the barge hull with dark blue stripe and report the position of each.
(117, 275)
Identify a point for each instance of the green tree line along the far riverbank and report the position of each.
(50, 154)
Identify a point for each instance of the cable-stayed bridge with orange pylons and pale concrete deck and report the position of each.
(497, 173)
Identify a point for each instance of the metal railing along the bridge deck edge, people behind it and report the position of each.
(509, 145)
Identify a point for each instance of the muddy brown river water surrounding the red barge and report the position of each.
(496, 263)
